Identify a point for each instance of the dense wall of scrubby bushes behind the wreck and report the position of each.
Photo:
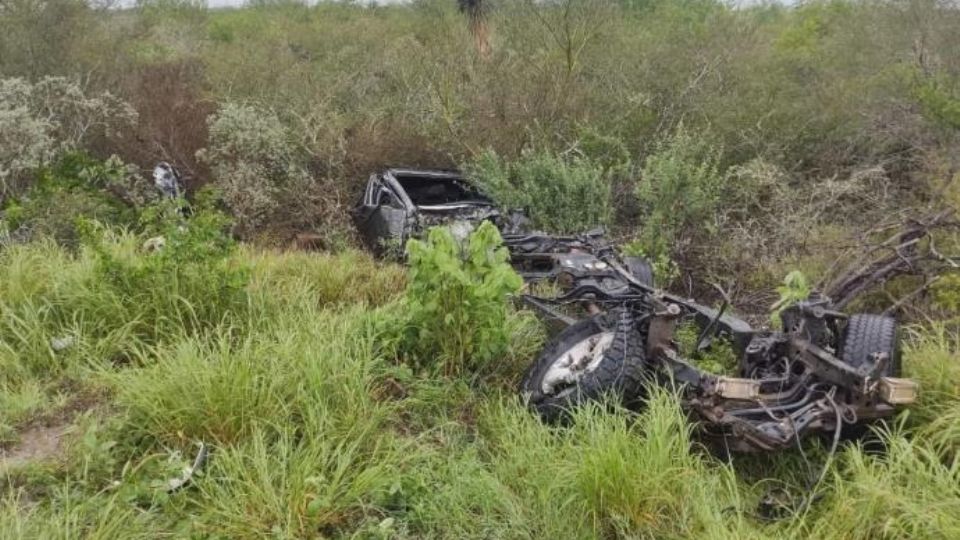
(311, 99)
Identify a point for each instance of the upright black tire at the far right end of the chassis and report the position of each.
(866, 335)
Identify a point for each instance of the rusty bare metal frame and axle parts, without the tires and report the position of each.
(790, 383)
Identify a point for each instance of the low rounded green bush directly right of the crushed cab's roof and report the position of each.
(561, 194)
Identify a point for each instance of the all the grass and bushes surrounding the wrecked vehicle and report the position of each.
(729, 144)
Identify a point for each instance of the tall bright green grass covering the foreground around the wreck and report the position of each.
(317, 429)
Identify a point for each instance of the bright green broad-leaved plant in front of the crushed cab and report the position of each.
(457, 300)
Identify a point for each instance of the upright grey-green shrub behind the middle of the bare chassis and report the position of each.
(679, 193)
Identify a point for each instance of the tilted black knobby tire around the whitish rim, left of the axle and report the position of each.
(619, 373)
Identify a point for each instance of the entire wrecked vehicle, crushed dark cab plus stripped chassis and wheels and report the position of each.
(826, 372)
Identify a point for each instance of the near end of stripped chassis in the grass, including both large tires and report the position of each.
(824, 372)
